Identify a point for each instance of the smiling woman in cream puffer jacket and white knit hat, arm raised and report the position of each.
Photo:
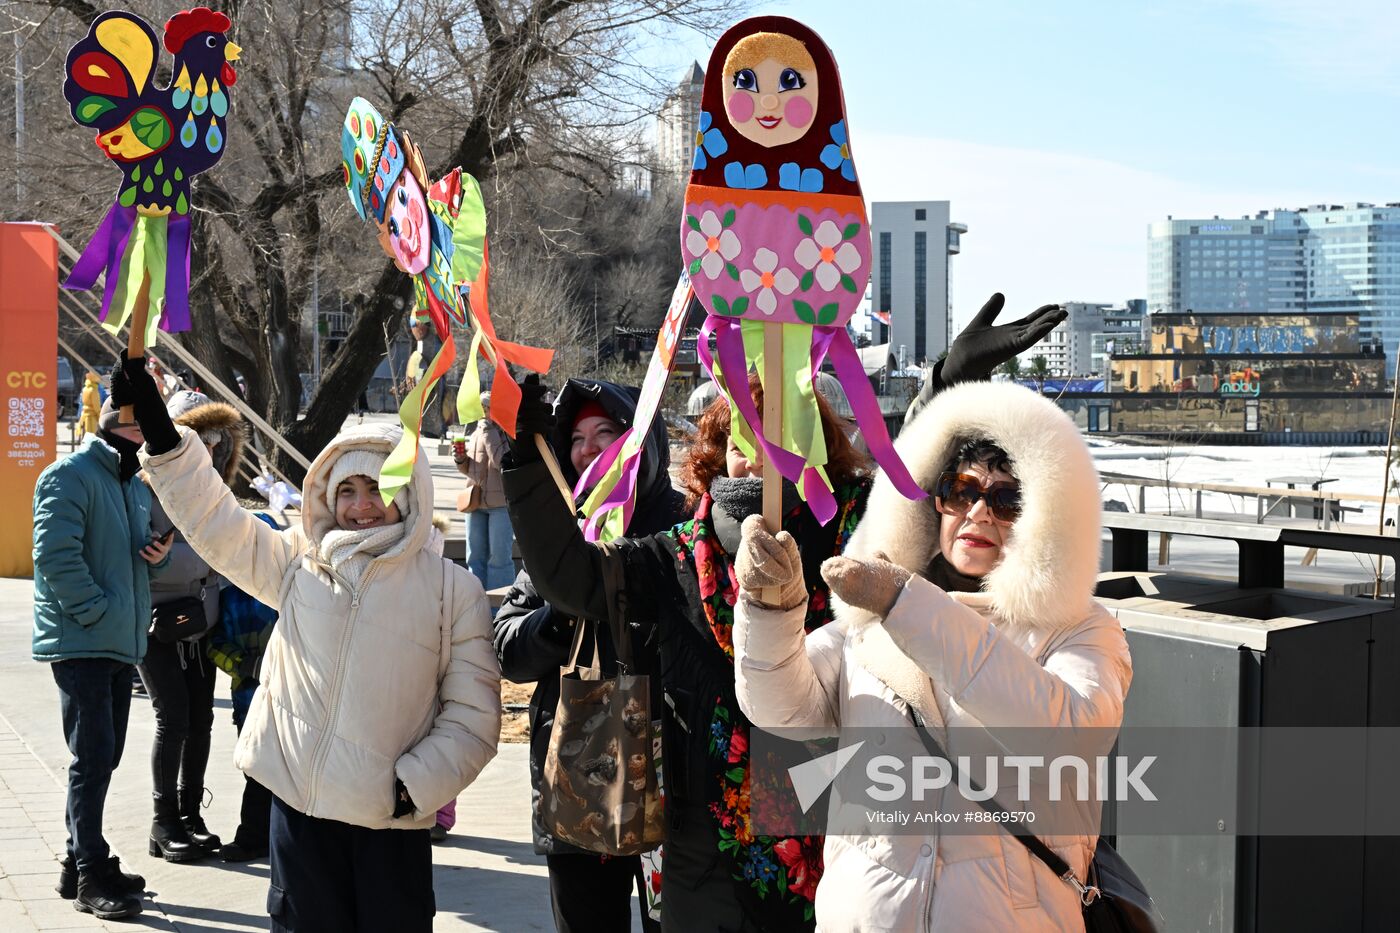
(379, 694)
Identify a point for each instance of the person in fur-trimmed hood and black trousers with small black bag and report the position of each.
(178, 676)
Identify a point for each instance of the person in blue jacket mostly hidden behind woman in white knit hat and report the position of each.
(237, 647)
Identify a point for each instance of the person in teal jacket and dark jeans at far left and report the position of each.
(93, 558)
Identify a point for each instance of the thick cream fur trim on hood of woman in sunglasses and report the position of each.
(1051, 565)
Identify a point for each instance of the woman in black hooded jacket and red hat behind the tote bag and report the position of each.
(533, 641)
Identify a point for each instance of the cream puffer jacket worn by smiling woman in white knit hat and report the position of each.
(393, 679)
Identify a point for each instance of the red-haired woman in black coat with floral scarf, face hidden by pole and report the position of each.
(716, 875)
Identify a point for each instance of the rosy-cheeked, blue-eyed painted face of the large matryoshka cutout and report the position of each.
(771, 89)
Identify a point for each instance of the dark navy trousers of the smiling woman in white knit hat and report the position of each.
(332, 878)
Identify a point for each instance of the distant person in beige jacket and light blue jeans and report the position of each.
(489, 534)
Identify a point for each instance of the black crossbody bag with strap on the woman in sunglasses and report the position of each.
(1115, 900)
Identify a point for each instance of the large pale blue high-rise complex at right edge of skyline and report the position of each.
(1321, 258)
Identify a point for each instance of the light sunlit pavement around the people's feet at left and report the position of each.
(486, 875)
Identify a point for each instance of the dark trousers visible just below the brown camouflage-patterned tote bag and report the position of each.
(593, 894)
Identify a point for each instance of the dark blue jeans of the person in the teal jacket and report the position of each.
(96, 698)
